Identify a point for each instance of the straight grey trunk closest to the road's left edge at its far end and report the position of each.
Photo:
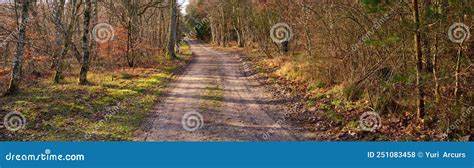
(172, 31)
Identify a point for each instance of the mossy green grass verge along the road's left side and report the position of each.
(113, 107)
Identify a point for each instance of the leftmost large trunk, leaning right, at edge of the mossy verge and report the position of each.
(18, 59)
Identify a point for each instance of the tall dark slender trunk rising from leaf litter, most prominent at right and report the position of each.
(419, 64)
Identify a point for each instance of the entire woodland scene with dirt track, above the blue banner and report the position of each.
(338, 70)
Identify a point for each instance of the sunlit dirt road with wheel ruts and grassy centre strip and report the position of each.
(213, 100)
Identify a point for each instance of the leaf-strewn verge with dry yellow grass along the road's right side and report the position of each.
(326, 112)
